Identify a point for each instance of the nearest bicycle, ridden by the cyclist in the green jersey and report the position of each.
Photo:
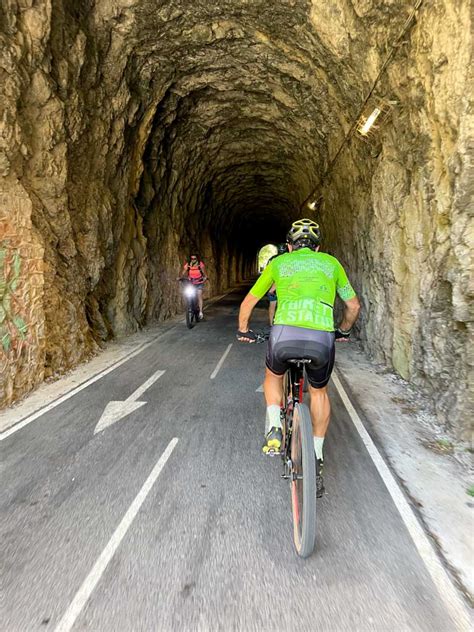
(297, 452)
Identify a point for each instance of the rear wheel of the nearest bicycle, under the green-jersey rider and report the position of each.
(303, 482)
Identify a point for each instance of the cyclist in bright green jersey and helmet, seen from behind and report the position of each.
(306, 282)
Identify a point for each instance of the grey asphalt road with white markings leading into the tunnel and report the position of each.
(210, 546)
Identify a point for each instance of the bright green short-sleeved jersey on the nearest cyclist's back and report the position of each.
(306, 284)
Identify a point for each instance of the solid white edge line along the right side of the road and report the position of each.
(441, 579)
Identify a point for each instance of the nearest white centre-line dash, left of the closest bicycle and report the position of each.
(91, 581)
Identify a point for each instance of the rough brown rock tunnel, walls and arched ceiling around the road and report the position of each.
(134, 132)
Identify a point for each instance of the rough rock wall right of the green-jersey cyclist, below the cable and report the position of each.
(405, 200)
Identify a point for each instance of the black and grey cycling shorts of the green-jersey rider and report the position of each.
(288, 343)
